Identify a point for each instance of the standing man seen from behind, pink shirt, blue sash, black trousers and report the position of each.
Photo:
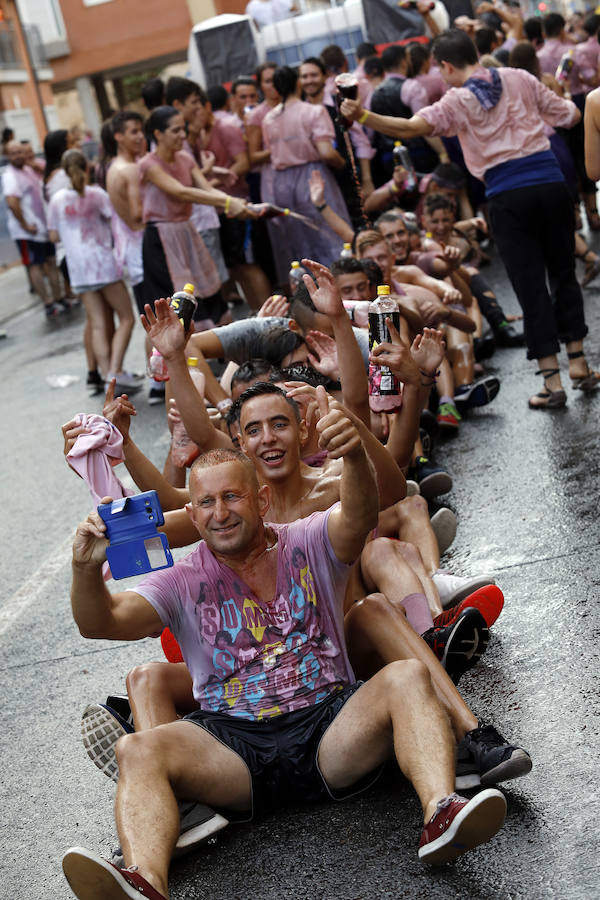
(499, 117)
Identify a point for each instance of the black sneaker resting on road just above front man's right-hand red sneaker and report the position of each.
(484, 757)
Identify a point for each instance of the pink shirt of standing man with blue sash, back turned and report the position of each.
(513, 129)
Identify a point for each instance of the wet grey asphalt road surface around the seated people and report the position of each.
(526, 495)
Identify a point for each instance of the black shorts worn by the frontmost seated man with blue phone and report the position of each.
(281, 753)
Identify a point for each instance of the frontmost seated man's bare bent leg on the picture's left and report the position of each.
(179, 761)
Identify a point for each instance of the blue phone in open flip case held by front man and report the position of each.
(135, 545)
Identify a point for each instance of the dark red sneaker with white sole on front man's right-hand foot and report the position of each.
(459, 825)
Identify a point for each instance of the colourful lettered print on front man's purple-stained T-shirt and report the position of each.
(267, 658)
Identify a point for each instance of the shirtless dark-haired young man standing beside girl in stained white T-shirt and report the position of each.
(123, 187)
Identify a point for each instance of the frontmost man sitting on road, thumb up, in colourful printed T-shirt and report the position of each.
(337, 732)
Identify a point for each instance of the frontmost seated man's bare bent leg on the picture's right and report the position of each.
(398, 709)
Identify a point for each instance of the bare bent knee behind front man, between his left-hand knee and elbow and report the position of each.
(158, 692)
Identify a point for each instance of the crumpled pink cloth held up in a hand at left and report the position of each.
(94, 454)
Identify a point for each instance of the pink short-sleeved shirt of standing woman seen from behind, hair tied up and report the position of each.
(291, 132)
